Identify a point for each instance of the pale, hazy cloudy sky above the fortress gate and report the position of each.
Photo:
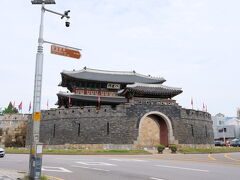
(193, 44)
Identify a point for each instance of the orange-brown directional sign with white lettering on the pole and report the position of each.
(58, 50)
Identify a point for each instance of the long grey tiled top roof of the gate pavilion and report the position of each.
(112, 76)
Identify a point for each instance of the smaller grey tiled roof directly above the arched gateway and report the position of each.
(151, 89)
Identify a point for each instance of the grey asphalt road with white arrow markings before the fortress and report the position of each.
(133, 167)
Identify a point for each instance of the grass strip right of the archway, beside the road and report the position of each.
(213, 150)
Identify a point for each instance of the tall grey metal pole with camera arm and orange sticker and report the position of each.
(35, 160)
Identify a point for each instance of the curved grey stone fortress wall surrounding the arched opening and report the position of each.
(118, 126)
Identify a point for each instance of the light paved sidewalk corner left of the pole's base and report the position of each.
(11, 174)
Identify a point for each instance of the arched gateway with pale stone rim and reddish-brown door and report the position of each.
(155, 128)
